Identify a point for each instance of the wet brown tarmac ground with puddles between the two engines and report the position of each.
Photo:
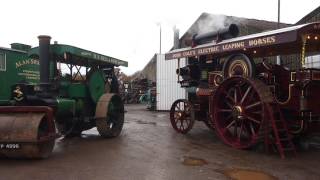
(149, 149)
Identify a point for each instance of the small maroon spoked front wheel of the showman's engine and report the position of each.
(182, 116)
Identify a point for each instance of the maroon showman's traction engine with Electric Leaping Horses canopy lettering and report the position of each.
(238, 90)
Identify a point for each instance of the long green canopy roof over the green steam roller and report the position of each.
(77, 56)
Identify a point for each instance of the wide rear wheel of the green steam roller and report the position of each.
(109, 115)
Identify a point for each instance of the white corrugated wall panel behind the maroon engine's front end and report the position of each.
(168, 88)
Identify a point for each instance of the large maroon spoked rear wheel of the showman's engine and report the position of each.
(239, 111)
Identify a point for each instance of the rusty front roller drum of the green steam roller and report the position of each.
(26, 135)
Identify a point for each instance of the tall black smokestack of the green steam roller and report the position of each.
(44, 55)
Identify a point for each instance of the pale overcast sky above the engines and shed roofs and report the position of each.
(127, 29)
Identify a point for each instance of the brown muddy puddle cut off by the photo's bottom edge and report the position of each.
(246, 174)
